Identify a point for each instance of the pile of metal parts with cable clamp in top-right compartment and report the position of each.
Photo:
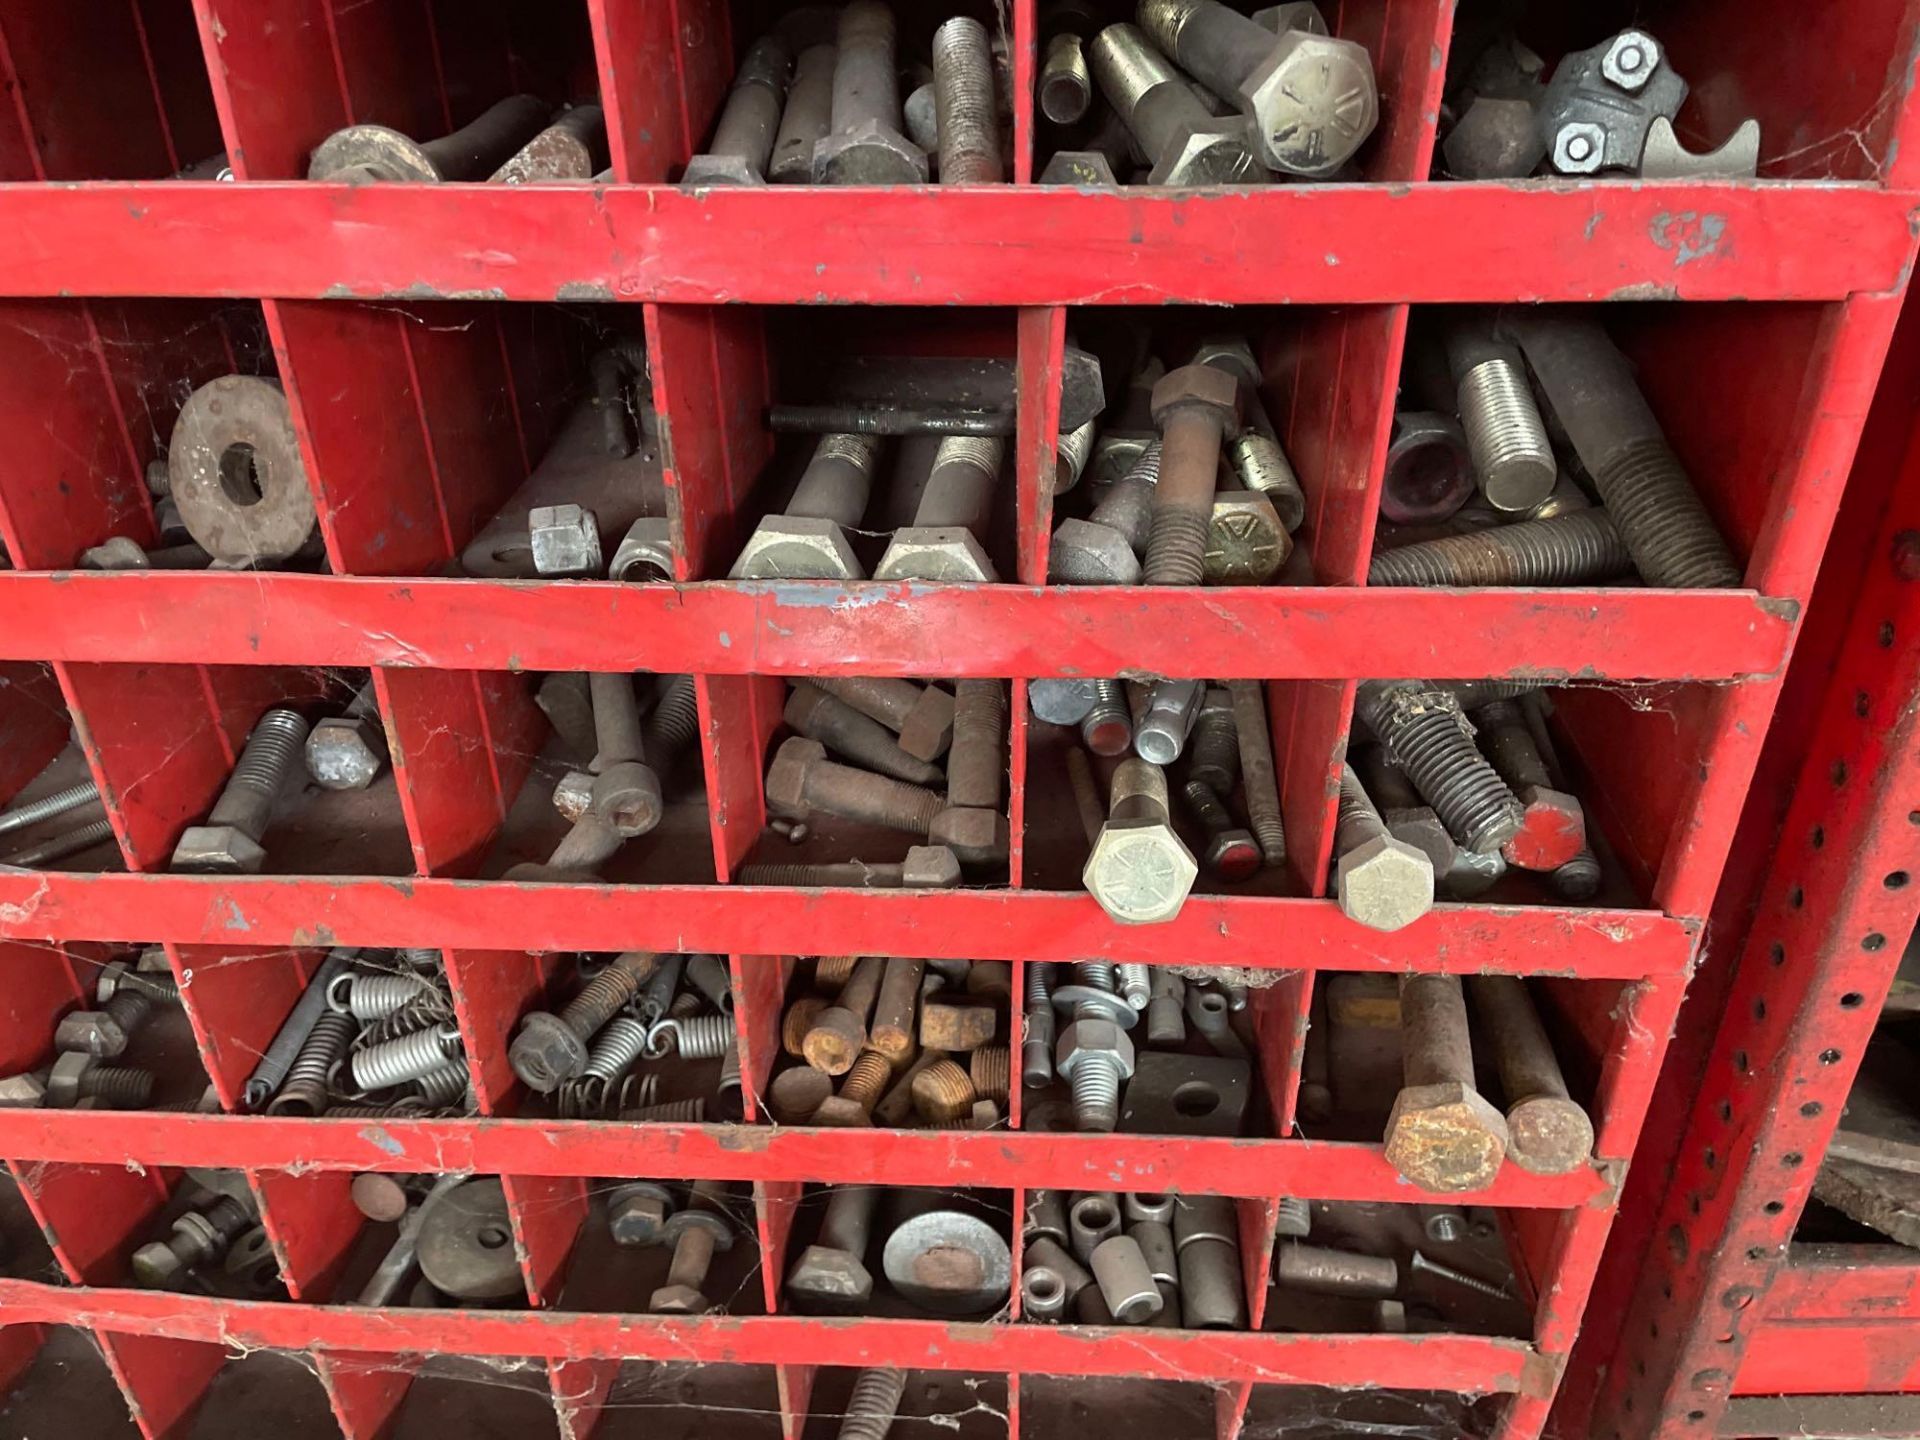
(1606, 112)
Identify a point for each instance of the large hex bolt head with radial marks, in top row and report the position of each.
(1314, 103)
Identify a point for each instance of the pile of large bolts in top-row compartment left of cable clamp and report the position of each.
(1201, 95)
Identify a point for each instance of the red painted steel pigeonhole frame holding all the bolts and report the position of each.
(420, 416)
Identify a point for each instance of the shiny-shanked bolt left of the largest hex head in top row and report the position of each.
(1184, 139)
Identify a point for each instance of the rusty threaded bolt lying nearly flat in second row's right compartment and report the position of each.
(1570, 550)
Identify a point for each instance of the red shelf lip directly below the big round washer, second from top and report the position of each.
(1308, 633)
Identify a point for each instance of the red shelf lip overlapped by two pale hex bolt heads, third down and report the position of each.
(1268, 934)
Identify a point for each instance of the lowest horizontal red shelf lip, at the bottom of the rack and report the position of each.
(1005, 1349)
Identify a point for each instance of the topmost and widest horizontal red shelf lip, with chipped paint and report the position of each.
(997, 245)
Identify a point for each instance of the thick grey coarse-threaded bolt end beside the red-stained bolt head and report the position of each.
(1429, 740)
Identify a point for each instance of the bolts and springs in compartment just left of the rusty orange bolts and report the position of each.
(619, 1047)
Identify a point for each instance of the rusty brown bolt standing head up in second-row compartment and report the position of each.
(1195, 408)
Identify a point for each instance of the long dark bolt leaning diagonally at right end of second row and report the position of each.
(1641, 481)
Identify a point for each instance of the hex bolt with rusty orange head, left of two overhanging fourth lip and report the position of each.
(1443, 1134)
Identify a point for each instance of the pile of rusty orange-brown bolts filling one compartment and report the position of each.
(888, 1042)
